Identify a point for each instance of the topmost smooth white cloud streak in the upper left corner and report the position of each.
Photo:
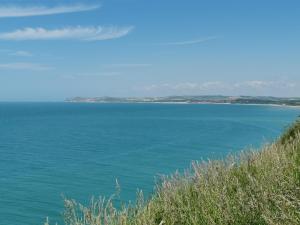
(23, 11)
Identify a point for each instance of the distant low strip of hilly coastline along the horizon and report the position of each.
(205, 99)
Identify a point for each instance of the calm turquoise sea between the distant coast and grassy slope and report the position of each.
(49, 149)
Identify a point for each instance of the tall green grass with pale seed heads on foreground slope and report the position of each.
(253, 188)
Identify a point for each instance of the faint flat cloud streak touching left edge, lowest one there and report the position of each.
(24, 66)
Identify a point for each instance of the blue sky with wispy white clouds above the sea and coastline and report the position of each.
(51, 50)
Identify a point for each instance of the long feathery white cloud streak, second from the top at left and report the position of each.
(69, 33)
